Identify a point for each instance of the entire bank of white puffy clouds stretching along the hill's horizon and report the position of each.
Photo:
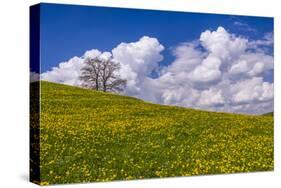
(220, 71)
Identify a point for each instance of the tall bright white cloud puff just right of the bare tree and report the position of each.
(138, 60)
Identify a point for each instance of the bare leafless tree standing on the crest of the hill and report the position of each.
(102, 75)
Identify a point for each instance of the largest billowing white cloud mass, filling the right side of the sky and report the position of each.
(227, 75)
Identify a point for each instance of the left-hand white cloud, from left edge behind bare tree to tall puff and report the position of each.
(137, 59)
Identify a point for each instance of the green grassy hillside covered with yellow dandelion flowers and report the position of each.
(94, 136)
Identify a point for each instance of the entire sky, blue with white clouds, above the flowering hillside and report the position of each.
(203, 61)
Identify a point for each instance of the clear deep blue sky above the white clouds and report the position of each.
(68, 31)
